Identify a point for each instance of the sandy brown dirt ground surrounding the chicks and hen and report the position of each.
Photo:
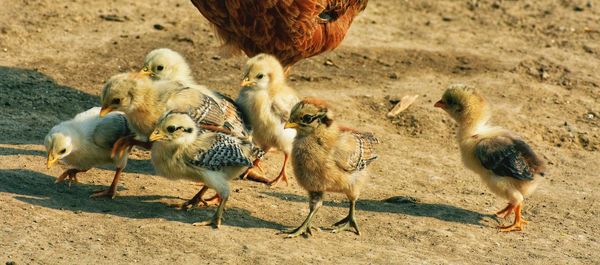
(537, 62)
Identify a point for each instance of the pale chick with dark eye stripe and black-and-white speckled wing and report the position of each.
(181, 150)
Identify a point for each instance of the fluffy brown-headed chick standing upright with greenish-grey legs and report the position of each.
(328, 158)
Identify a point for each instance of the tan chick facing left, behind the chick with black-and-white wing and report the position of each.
(144, 100)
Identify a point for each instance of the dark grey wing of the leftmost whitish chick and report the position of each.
(110, 128)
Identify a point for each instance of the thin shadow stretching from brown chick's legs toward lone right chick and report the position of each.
(402, 205)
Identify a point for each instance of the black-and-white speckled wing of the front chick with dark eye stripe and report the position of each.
(226, 151)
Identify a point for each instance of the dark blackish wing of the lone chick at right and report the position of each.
(508, 156)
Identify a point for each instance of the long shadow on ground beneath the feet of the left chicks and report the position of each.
(39, 189)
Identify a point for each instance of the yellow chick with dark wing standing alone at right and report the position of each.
(503, 160)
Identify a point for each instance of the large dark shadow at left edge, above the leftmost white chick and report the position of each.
(31, 103)
